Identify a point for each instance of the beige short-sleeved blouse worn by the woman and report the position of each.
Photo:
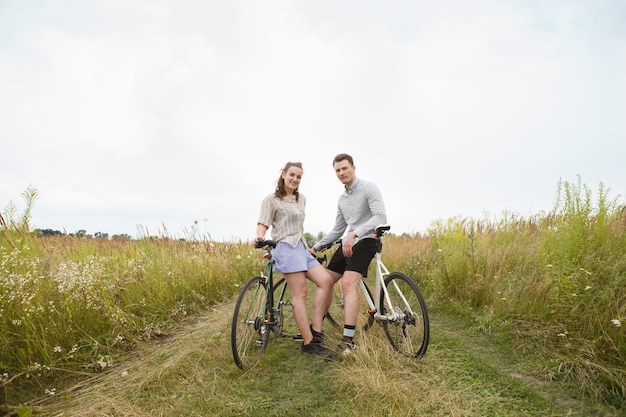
(286, 216)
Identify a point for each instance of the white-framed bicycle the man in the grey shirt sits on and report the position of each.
(397, 305)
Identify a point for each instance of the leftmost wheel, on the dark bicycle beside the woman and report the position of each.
(249, 333)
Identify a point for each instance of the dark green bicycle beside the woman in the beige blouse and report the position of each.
(256, 316)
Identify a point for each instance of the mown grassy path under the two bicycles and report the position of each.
(191, 373)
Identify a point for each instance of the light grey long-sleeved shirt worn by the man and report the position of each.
(360, 210)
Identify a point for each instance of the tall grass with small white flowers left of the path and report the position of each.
(69, 304)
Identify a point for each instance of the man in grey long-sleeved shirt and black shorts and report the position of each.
(360, 210)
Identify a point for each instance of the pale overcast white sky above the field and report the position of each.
(174, 118)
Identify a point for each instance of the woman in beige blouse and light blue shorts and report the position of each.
(283, 211)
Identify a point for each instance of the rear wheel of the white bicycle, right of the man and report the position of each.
(410, 333)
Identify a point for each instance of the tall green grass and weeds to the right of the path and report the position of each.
(555, 281)
